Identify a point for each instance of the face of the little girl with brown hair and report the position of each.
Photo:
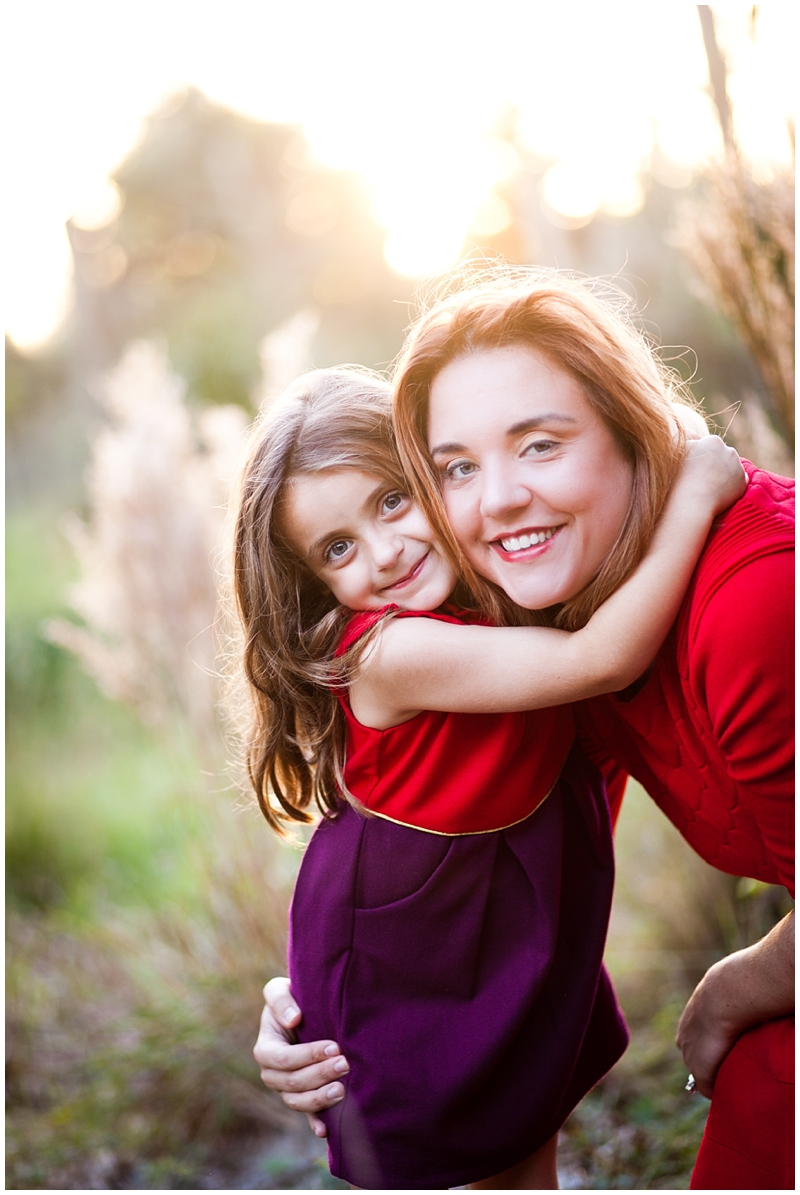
(367, 541)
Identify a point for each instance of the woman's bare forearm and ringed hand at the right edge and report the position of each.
(741, 991)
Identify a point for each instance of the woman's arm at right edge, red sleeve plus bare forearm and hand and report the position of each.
(743, 676)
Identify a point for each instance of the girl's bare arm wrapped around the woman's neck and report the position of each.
(426, 665)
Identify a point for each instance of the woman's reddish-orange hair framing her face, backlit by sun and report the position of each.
(595, 339)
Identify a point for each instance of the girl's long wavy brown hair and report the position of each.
(295, 744)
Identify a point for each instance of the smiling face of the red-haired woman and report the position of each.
(535, 486)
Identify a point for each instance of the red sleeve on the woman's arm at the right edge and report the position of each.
(742, 658)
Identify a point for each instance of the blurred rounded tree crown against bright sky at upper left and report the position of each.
(227, 229)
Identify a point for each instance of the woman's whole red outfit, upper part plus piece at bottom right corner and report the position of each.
(710, 736)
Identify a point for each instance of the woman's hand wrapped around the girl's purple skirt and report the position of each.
(306, 1075)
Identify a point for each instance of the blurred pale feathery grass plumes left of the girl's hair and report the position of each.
(148, 596)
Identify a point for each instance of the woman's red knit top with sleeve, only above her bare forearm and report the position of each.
(710, 733)
